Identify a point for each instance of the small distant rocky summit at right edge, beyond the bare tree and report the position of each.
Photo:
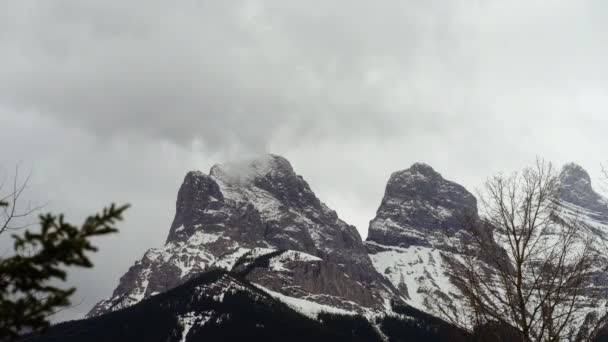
(576, 189)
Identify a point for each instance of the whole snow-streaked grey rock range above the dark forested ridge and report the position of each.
(263, 223)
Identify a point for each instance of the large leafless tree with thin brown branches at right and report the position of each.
(525, 270)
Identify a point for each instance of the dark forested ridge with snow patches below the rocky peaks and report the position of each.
(218, 305)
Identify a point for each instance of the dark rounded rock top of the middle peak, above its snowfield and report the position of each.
(418, 203)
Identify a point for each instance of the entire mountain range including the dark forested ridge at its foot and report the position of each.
(252, 252)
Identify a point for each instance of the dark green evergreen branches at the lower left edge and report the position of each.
(28, 278)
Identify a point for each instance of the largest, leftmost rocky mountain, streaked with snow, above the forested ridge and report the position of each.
(256, 209)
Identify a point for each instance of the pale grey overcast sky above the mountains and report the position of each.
(117, 100)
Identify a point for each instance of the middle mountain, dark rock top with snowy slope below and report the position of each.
(420, 218)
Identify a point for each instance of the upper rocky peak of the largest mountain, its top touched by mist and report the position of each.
(259, 199)
